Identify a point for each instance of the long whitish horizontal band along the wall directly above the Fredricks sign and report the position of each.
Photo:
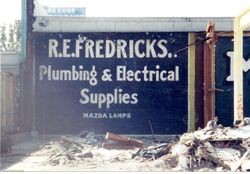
(68, 24)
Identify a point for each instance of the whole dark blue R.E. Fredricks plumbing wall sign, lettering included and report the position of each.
(111, 82)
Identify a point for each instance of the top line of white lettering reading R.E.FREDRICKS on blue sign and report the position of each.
(120, 48)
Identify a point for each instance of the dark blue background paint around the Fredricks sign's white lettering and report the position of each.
(164, 103)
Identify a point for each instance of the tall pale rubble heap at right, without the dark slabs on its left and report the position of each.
(224, 147)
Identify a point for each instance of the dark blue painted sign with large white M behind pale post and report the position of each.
(224, 79)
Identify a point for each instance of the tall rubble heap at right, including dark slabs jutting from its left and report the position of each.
(226, 149)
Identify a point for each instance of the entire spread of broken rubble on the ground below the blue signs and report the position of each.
(216, 149)
